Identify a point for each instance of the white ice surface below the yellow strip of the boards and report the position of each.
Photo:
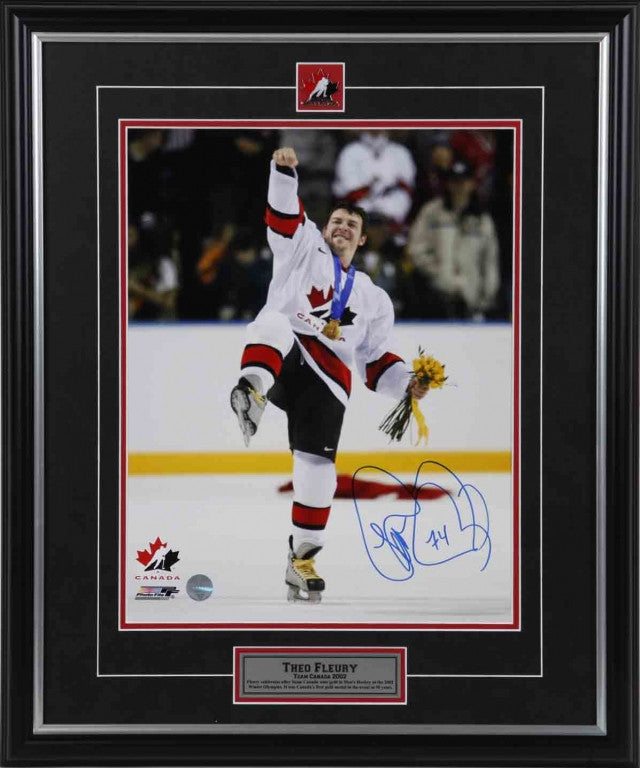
(386, 561)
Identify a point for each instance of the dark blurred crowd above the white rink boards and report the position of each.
(439, 204)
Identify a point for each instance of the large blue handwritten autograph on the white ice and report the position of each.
(398, 543)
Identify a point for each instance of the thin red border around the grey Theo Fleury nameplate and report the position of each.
(334, 651)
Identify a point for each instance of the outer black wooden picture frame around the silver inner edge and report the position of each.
(19, 744)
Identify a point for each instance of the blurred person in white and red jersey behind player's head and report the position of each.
(378, 175)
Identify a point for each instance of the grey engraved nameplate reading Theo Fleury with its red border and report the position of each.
(342, 675)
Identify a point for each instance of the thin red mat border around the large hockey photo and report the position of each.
(514, 125)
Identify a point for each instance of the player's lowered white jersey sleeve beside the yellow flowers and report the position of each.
(381, 369)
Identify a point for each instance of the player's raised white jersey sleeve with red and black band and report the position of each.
(288, 228)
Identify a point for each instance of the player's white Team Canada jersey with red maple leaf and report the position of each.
(302, 288)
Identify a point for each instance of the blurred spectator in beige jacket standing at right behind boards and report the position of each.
(454, 250)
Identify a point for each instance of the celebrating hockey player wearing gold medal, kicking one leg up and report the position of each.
(320, 317)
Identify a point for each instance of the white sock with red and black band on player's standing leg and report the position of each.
(314, 484)
